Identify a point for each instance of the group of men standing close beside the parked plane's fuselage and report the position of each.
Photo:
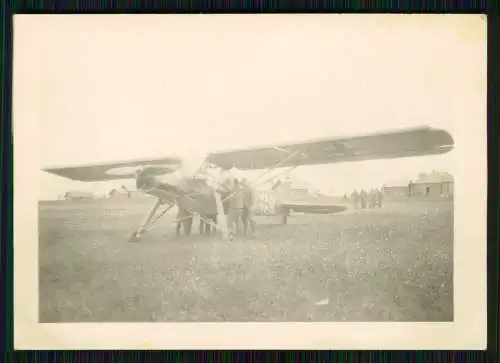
(238, 202)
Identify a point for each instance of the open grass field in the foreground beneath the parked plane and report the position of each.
(393, 264)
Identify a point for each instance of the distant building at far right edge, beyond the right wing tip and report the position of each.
(433, 184)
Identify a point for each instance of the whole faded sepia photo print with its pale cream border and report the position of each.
(196, 170)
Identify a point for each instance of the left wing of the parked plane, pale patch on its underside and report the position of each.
(115, 170)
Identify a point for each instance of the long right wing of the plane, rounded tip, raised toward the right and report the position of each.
(383, 145)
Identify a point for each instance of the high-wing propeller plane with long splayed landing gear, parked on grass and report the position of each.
(172, 184)
